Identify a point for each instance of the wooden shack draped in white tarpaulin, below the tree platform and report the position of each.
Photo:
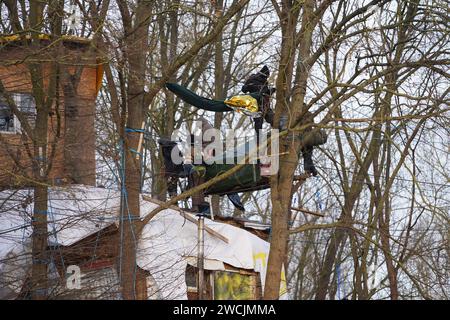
(84, 232)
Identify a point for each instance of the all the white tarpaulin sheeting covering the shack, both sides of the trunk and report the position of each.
(166, 245)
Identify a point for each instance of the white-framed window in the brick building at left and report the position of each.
(26, 105)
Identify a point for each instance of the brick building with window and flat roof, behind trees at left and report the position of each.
(71, 133)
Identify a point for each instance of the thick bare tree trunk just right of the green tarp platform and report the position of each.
(281, 184)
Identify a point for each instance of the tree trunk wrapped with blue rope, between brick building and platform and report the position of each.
(136, 49)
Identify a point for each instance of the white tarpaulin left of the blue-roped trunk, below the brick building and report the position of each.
(73, 214)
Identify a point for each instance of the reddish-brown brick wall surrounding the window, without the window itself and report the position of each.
(70, 132)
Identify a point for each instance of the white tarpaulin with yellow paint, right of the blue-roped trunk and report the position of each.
(169, 241)
